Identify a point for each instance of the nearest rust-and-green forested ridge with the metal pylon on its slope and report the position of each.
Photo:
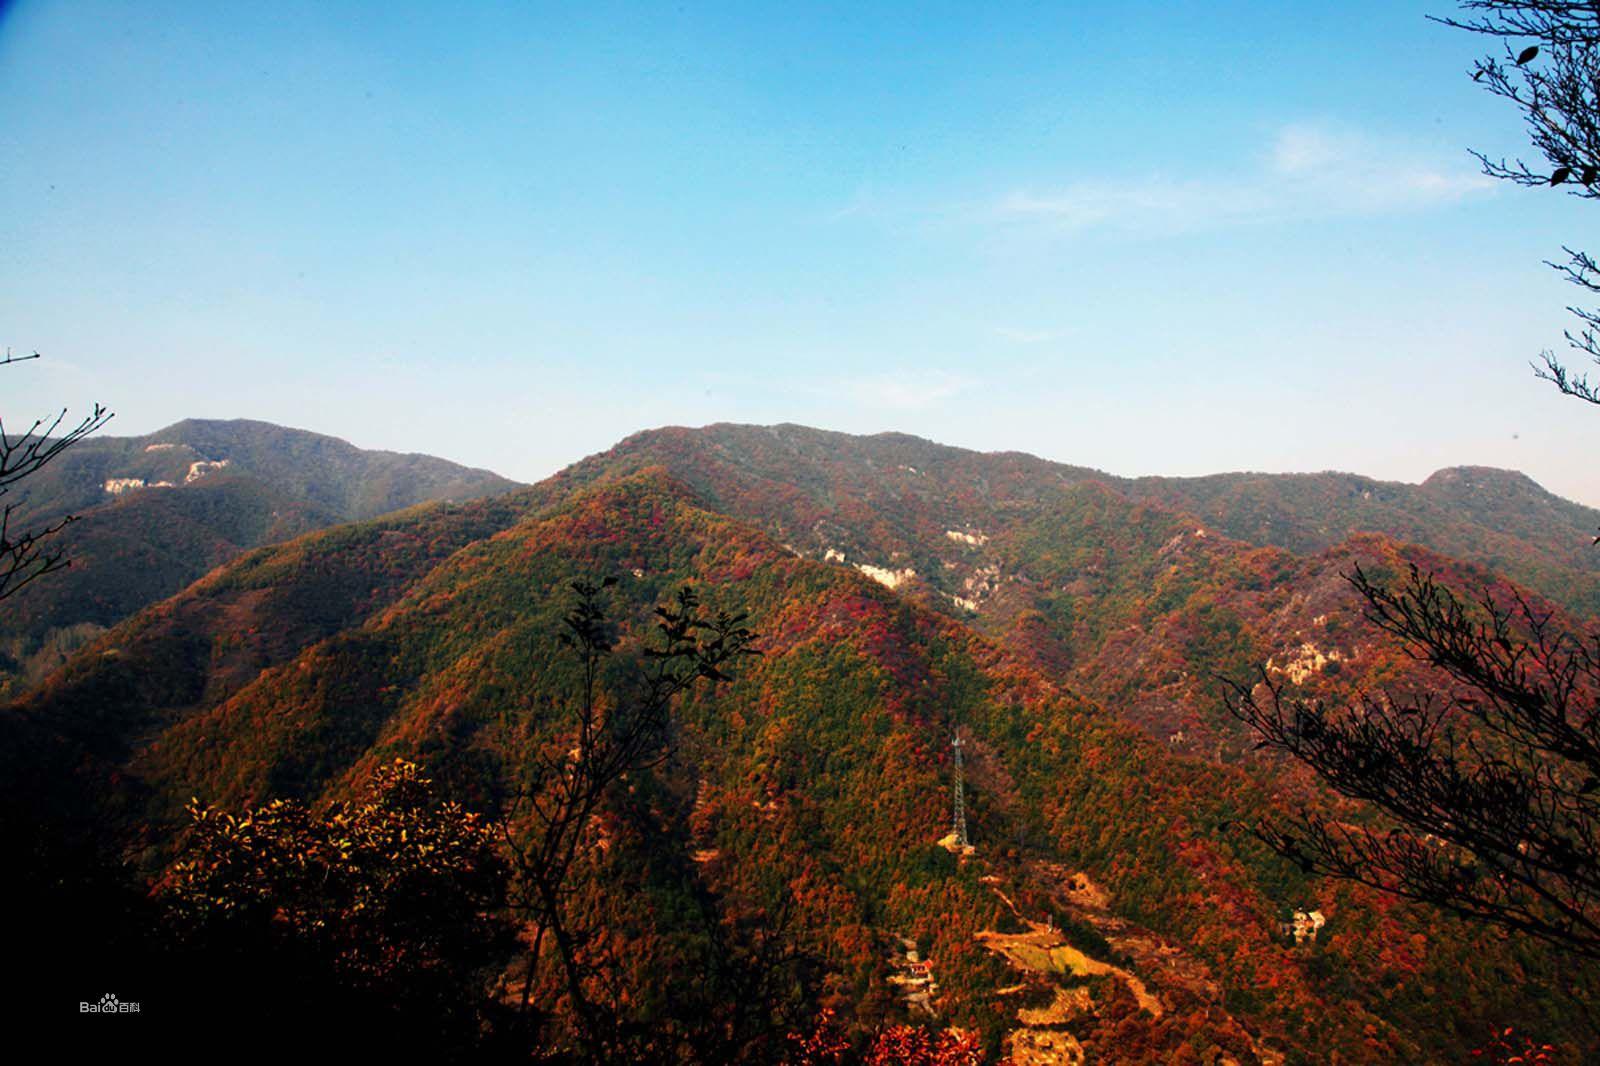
(820, 777)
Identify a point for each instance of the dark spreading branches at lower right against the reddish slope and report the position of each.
(1490, 782)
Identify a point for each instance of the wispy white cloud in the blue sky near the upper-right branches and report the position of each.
(1306, 172)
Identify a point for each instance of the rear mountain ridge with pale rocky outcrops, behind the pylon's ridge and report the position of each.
(1130, 598)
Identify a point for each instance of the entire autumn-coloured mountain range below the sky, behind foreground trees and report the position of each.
(1070, 625)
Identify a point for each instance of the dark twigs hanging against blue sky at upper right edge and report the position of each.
(1550, 71)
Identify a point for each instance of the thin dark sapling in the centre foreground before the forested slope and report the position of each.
(612, 735)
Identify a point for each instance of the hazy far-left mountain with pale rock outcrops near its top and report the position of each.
(162, 510)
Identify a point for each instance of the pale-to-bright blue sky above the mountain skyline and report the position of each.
(1154, 241)
